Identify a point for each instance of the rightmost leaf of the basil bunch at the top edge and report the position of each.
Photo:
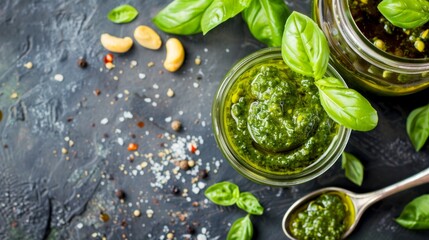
(266, 20)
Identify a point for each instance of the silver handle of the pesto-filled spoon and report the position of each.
(415, 180)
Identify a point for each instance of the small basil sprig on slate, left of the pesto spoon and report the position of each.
(226, 194)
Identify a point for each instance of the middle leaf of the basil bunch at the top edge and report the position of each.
(220, 11)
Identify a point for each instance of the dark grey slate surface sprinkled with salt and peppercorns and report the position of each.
(45, 194)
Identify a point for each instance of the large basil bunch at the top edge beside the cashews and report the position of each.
(265, 18)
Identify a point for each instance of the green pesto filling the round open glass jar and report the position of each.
(275, 121)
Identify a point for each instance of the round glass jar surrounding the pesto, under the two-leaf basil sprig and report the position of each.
(237, 161)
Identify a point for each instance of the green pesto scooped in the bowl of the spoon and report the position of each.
(324, 218)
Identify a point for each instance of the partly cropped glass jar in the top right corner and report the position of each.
(361, 63)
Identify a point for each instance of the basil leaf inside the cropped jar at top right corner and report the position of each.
(405, 13)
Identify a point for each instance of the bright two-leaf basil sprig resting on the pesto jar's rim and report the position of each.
(305, 50)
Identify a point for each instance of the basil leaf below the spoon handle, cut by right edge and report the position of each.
(415, 214)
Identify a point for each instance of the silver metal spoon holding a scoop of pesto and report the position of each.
(360, 202)
